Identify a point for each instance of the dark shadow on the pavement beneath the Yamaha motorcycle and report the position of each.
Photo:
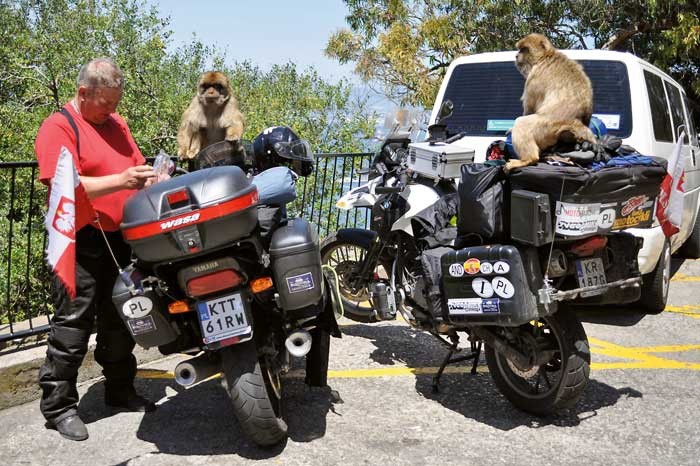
(200, 420)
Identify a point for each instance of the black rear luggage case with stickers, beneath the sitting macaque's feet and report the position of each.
(585, 202)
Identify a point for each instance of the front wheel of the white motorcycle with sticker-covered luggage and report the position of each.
(346, 258)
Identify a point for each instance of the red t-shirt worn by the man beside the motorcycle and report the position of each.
(104, 150)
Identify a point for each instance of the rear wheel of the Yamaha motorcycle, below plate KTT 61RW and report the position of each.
(256, 393)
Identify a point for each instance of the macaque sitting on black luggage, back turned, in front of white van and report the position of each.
(557, 100)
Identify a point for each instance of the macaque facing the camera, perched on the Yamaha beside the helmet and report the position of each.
(212, 116)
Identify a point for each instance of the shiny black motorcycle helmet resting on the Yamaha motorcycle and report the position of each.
(279, 145)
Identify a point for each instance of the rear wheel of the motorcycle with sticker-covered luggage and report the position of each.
(557, 379)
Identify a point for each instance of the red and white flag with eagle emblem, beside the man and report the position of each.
(69, 211)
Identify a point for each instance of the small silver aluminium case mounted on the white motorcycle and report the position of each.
(438, 160)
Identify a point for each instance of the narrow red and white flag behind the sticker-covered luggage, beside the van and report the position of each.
(669, 207)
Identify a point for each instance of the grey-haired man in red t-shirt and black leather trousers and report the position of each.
(111, 168)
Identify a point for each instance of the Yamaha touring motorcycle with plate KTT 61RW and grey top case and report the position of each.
(220, 274)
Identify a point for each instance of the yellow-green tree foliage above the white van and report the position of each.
(405, 46)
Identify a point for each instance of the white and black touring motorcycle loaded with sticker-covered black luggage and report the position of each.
(500, 259)
